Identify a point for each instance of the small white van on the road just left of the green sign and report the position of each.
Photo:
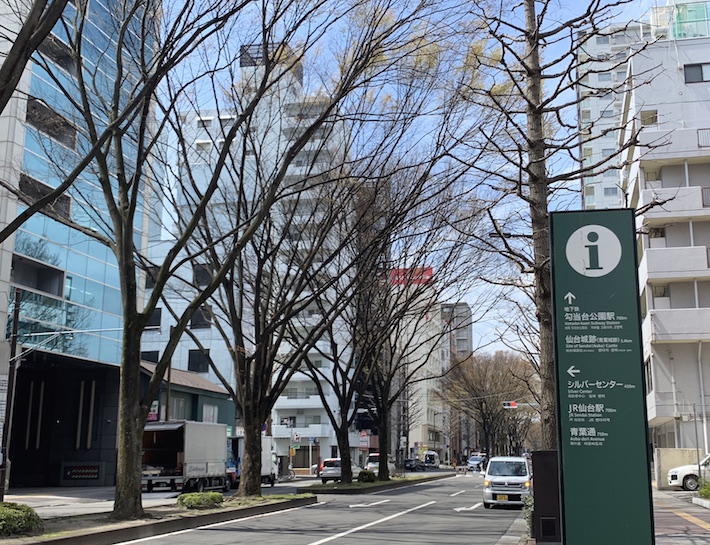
(507, 481)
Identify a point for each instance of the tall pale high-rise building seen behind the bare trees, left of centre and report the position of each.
(282, 114)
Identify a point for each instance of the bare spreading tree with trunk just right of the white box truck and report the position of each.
(302, 267)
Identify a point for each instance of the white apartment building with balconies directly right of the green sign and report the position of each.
(668, 181)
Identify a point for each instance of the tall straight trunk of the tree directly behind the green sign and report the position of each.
(540, 227)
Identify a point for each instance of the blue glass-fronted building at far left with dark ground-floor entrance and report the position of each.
(66, 395)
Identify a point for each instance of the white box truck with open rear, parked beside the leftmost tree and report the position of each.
(184, 455)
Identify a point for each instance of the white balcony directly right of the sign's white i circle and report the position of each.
(674, 264)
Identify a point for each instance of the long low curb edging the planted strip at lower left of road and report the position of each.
(150, 529)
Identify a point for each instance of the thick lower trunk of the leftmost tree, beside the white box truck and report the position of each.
(131, 422)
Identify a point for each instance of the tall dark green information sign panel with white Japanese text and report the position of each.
(603, 435)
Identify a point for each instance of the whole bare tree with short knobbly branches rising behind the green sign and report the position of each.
(528, 74)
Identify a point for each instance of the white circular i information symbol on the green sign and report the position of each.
(593, 250)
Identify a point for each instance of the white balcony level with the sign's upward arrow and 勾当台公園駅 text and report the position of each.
(677, 325)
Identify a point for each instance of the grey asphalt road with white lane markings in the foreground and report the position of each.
(448, 512)
